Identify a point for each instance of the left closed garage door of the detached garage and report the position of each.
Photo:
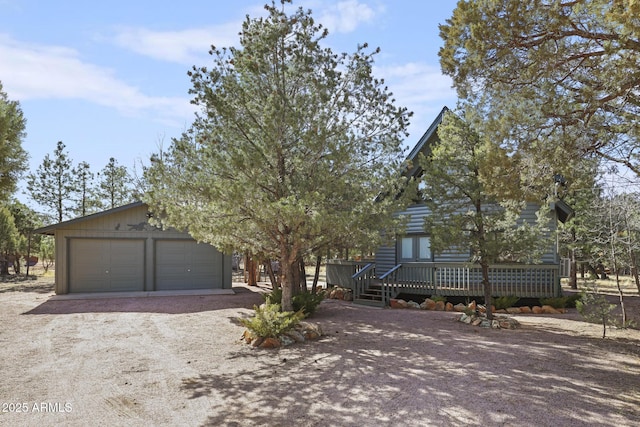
(106, 265)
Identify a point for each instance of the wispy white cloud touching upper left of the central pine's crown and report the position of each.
(182, 46)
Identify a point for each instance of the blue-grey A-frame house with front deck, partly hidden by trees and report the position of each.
(409, 266)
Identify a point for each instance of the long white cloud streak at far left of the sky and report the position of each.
(32, 71)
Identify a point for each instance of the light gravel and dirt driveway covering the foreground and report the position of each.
(178, 361)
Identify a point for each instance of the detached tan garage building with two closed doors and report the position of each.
(118, 250)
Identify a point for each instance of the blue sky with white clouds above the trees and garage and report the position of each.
(109, 79)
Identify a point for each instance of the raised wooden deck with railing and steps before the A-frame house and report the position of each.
(445, 279)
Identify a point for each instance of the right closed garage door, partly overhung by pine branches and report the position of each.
(185, 264)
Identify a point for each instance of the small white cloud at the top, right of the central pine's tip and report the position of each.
(345, 16)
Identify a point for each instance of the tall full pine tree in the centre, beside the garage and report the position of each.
(291, 149)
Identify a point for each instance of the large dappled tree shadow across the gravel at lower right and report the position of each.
(416, 368)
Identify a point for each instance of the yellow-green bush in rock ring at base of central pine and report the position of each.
(269, 322)
